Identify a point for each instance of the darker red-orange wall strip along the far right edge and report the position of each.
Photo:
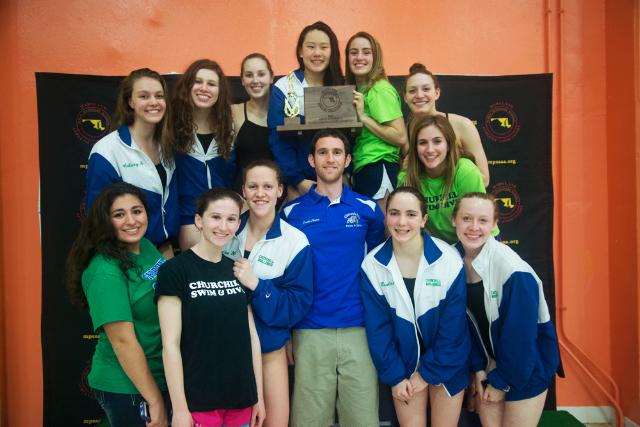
(621, 101)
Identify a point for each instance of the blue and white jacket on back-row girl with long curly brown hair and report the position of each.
(197, 172)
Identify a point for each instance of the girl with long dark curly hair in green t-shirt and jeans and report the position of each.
(111, 270)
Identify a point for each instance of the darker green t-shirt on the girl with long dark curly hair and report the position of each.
(114, 298)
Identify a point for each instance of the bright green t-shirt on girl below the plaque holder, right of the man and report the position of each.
(466, 179)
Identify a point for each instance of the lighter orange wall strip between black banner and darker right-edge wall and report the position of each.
(581, 194)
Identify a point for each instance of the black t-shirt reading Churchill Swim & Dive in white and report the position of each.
(215, 341)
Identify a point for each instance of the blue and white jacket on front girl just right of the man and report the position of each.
(394, 326)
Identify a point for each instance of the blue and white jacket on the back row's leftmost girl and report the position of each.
(116, 157)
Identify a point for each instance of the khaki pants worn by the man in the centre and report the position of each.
(334, 370)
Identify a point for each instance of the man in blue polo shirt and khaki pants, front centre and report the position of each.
(333, 365)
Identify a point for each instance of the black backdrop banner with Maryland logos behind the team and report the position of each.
(511, 113)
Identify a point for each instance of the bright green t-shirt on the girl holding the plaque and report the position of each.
(381, 103)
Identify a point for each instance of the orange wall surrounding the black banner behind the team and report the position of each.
(596, 219)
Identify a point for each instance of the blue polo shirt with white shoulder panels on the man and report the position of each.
(340, 233)
